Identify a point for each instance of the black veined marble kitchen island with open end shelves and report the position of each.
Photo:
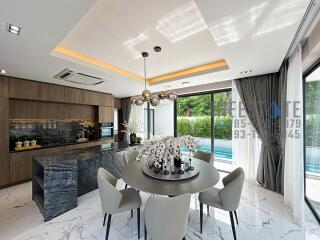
(59, 178)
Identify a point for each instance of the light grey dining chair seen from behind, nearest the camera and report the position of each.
(166, 217)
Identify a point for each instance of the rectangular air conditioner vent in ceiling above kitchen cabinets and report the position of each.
(78, 78)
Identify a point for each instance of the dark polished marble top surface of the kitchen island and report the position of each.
(80, 154)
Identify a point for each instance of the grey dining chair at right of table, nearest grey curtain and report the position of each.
(227, 198)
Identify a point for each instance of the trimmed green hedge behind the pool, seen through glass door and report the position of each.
(201, 126)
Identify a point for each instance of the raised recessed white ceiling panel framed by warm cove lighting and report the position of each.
(118, 31)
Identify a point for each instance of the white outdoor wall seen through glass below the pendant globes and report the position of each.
(163, 119)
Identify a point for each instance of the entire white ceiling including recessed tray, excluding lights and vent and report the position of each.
(249, 35)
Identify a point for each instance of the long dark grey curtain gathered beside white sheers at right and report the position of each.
(263, 98)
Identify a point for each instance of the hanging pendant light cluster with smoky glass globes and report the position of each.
(146, 95)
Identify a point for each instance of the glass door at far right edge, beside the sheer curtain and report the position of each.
(312, 138)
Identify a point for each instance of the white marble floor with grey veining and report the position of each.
(262, 215)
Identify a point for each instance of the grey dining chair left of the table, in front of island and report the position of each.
(114, 201)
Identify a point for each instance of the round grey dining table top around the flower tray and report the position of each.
(134, 176)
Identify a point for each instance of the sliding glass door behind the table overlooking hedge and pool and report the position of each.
(207, 117)
